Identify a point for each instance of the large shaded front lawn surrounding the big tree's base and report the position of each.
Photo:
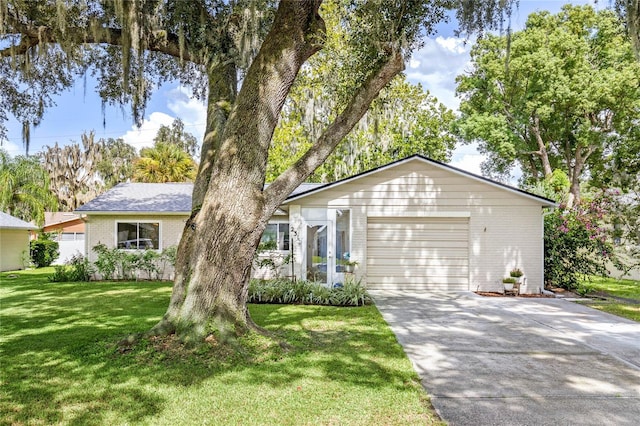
(60, 363)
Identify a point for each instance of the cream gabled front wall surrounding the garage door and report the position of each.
(505, 228)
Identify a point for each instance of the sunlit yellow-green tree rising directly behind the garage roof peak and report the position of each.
(403, 121)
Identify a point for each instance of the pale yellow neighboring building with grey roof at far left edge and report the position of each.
(14, 242)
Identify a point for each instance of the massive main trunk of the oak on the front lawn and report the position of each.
(216, 251)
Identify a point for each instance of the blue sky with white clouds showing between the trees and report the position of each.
(435, 66)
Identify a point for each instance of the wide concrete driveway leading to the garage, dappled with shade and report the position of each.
(518, 361)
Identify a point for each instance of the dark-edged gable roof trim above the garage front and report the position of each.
(518, 192)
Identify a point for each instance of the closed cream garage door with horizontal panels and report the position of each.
(418, 253)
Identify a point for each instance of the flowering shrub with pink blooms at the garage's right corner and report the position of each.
(577, 243)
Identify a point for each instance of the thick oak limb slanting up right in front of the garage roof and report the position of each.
(335, 132)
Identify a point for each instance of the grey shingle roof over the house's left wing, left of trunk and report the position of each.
(143, 197)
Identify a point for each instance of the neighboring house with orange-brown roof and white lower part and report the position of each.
(69, 230)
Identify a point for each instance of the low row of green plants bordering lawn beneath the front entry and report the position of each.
(352, 293)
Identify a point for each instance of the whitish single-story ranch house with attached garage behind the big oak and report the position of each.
(413, 225)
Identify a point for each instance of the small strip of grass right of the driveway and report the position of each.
(622, 296)
